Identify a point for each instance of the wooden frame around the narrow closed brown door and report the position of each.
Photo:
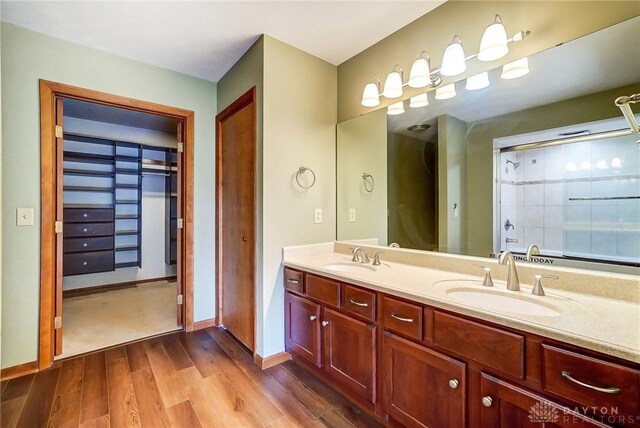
(245, 99)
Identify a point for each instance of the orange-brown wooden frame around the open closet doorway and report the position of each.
(49, 91)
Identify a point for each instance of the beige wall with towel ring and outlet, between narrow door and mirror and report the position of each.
(299, 130)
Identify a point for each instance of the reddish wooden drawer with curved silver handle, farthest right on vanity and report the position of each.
(591, 373)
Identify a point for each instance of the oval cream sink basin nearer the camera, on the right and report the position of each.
(503, 302)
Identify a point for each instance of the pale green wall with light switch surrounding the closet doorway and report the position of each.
(28, 56)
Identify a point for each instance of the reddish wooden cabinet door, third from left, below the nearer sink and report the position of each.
(422, 388)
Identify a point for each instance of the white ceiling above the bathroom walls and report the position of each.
(205, 38)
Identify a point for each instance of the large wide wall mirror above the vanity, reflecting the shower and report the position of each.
(545, 159)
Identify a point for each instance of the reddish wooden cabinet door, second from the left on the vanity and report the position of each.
(349, 352)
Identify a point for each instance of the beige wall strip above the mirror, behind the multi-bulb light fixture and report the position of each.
(551, 22)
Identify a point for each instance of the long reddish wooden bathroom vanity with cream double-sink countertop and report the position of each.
(419, 341)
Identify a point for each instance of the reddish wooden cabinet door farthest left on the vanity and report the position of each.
(302, 328)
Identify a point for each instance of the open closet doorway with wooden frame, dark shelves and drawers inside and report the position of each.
(116, 219)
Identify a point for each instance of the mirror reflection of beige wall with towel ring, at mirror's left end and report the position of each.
(362, 147)
